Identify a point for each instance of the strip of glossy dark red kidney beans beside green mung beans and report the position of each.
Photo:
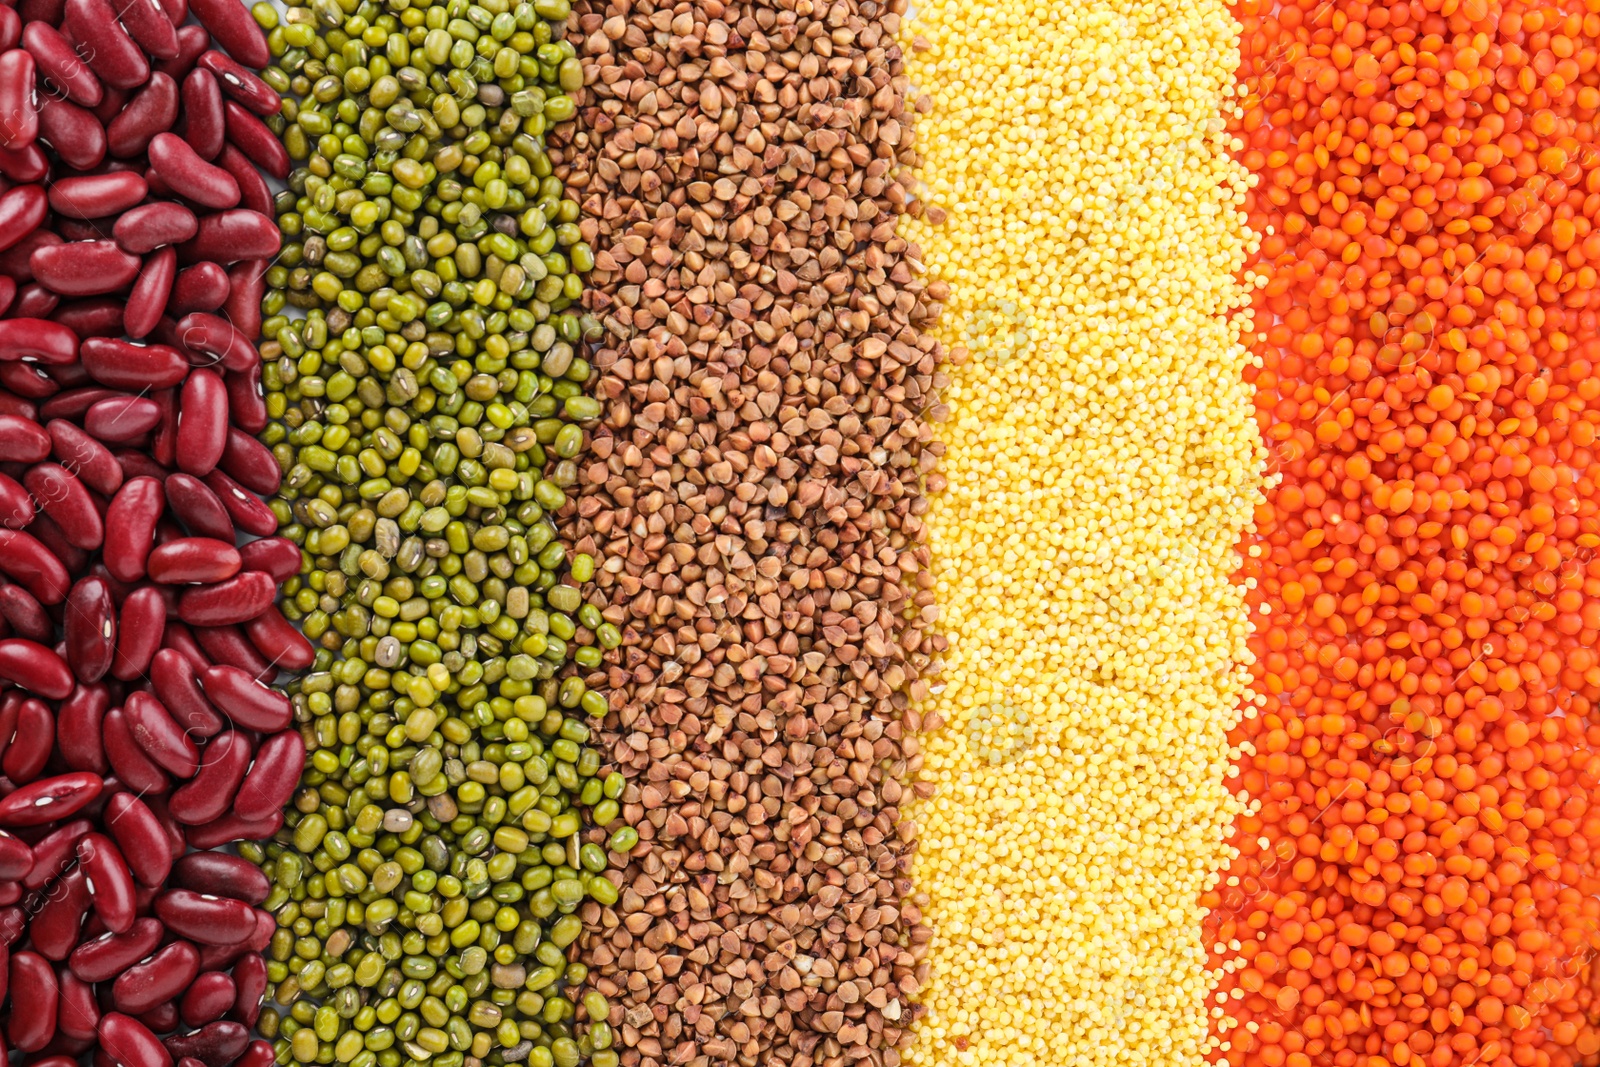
(137, 631)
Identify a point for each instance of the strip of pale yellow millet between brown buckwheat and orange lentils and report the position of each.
(1103, 465)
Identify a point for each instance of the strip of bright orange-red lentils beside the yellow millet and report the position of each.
(1417, 879)
